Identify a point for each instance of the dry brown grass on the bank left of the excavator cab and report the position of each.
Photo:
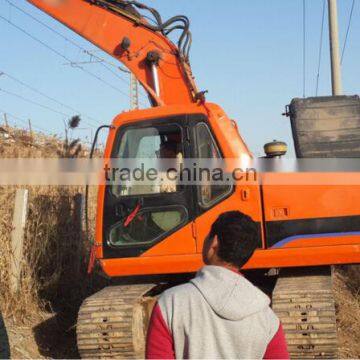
(55, 250)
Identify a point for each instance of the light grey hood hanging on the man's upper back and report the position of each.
(229, 294)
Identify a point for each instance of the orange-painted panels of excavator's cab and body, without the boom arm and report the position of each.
(180, 252)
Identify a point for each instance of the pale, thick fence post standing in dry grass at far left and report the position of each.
(17, 238)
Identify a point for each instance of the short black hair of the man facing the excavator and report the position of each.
(238, 236)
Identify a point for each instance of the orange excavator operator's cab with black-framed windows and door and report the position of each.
(150, 210)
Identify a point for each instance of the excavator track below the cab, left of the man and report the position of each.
(113, 322)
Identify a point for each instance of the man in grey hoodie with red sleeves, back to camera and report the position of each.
(219, 314)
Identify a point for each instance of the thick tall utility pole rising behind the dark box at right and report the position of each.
(334, 48)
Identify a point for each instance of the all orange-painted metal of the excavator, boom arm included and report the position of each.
(270, 198)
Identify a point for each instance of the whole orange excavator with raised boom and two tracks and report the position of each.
(151, 240)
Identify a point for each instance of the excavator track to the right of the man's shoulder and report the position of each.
(303, 300)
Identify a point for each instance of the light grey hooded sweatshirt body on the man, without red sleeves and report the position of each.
(218, 315)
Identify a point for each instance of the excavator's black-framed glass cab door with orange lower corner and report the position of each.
(149, 218)
